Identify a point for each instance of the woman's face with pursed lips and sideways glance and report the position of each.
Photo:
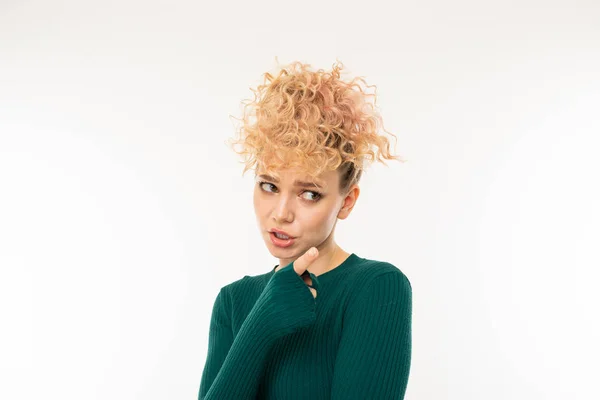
(307, 213)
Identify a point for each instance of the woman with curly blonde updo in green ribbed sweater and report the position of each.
(323, 323)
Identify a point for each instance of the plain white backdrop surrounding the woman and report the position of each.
(122, 211)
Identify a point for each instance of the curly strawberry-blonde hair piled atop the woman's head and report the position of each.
(314, 121)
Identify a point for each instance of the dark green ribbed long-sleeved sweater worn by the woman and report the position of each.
(269, 338)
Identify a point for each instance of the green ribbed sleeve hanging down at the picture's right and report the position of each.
(374, 355)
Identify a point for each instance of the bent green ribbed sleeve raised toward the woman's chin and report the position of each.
(284, 306)
